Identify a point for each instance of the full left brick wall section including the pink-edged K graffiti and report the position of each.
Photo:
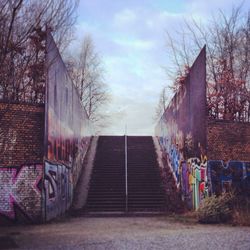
(21, 162)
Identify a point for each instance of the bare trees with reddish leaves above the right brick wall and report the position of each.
(227, 39)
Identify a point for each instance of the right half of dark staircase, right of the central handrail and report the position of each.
(145, 192)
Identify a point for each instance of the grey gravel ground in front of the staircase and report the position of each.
(125, 233)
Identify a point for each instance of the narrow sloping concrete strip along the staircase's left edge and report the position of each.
(81, 192)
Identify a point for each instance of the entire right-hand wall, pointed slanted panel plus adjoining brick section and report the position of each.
(206, 156)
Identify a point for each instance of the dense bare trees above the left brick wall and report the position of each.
(22, 44)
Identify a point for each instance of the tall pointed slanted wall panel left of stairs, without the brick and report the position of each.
(67, 134)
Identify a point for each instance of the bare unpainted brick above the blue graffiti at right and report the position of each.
(227, 140)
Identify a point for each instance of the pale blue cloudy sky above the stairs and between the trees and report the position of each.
(130, 37)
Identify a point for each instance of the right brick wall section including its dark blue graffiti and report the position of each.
(228, 152)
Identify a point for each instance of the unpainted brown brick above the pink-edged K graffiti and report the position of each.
(21, 134)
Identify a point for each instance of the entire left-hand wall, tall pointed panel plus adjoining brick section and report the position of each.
(42, 148)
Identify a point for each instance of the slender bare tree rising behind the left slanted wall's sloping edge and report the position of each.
(88, 75)
